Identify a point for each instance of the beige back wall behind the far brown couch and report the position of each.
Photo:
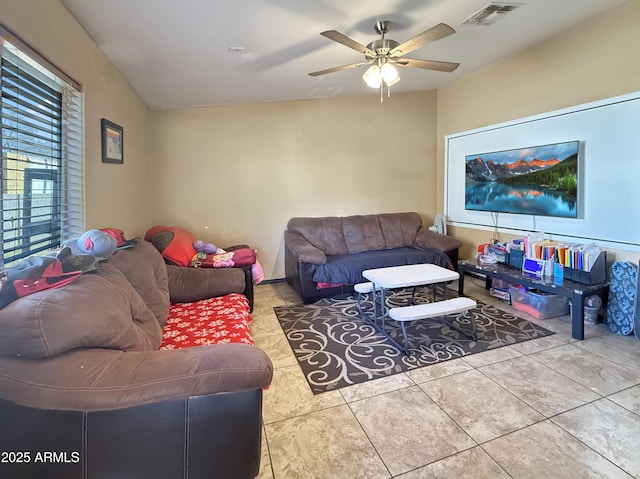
(236, 174)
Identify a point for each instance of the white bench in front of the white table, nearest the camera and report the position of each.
(437, 309)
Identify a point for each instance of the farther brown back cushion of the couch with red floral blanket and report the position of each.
(145, 269)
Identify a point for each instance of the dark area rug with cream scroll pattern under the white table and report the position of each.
(336, 348)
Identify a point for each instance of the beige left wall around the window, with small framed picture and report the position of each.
(115, 195)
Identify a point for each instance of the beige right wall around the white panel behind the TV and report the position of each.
(591, 62)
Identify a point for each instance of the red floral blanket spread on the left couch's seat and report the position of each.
(224, 319)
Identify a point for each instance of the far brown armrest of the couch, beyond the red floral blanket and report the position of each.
(187, 285)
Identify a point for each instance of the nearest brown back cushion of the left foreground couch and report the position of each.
(98, 310)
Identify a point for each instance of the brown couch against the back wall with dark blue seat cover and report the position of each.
(326, 256)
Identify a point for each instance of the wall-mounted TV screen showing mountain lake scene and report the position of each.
(537, 180)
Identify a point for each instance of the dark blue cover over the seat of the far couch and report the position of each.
(347, 269)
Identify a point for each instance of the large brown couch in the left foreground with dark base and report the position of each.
(82, 379)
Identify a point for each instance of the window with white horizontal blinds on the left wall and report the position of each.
(41, 151)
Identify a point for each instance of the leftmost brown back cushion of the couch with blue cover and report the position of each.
(323, 233)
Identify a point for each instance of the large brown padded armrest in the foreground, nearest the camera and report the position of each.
(102, 379)
